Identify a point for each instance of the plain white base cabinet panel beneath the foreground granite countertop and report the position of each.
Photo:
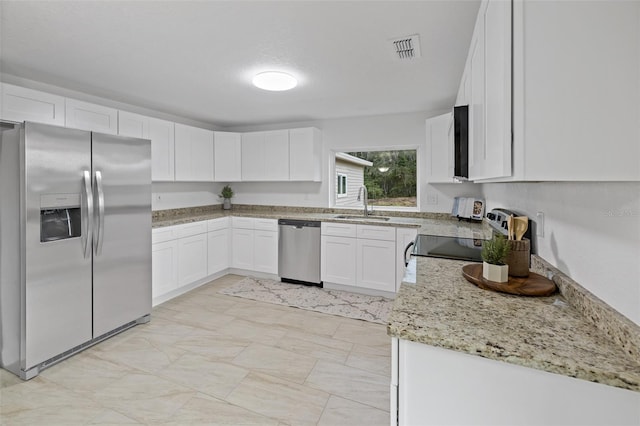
(432, 382)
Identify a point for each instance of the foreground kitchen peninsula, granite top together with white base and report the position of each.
(448, 334)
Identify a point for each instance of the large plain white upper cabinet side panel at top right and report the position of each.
(576, 97)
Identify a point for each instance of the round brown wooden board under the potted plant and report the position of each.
(533, 285)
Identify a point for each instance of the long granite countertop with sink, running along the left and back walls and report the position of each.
(427, 223)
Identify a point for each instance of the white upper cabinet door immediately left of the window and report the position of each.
(305, 154)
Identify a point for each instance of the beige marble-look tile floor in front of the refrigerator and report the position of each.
(206, 358)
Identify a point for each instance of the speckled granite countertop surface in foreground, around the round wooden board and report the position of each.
(547, 333)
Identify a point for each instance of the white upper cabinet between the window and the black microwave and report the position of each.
(439, 149)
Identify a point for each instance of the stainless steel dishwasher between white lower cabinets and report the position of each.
(299, 251)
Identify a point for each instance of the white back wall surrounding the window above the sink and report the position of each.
(348, 135)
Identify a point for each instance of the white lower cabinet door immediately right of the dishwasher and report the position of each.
(338, 260)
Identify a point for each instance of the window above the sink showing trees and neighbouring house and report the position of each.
(390, 178)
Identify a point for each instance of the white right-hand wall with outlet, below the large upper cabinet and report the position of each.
(591, 233)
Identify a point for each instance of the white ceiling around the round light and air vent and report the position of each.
(196, 59)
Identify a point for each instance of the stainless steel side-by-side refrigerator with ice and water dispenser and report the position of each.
(75, 241)
